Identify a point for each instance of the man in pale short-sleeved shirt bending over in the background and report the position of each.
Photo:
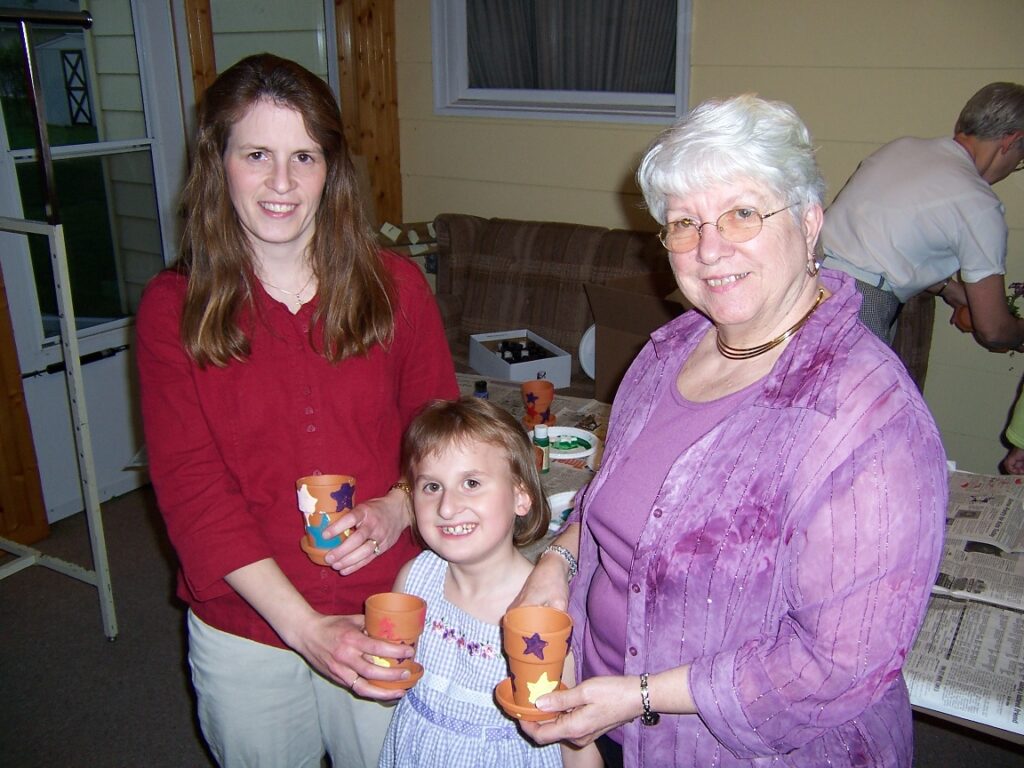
(920, 212)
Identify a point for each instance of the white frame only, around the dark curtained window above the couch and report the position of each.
(453, 97)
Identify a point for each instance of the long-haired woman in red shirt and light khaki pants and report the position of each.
(283, 344)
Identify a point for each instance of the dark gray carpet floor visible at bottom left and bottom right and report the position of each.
(70, 698)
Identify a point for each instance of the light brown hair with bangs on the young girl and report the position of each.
(444, 423)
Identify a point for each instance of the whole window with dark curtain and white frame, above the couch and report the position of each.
(568, 60)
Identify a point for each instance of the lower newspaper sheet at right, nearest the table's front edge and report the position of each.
(969, 662)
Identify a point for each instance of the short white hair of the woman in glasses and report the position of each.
(724, 142)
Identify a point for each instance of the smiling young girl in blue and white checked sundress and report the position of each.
(478, 498)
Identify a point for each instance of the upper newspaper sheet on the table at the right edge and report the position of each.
(988, 509)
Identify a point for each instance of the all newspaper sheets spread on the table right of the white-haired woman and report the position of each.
(968, 661)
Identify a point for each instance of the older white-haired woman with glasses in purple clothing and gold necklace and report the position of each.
(753, 562)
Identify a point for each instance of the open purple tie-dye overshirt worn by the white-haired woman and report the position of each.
(788, 558)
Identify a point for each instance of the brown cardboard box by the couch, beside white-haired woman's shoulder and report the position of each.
(626, 311)
